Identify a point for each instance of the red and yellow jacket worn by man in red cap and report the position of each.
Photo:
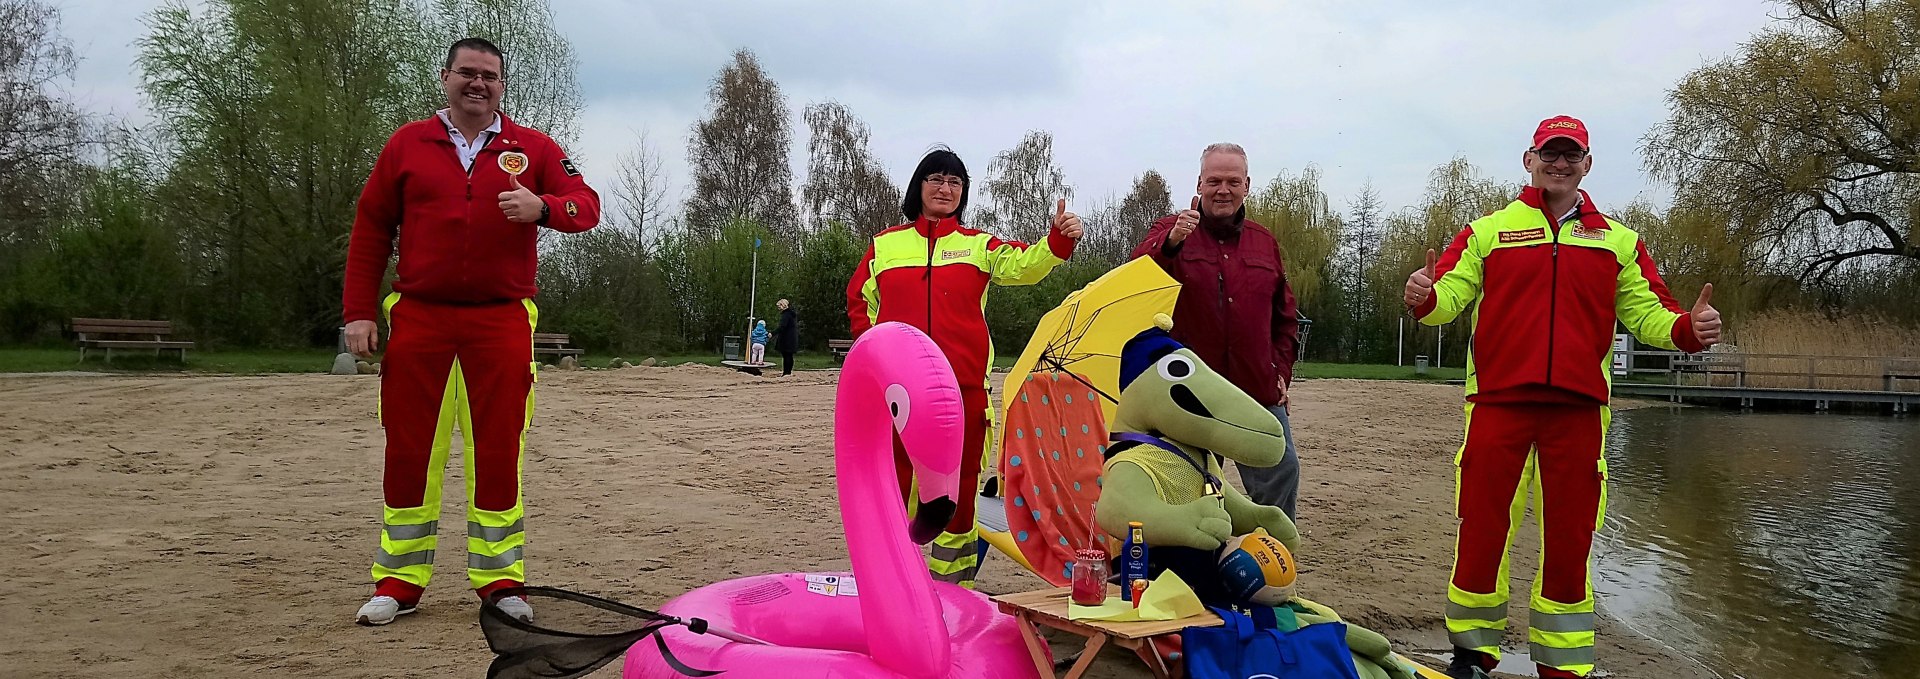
(1545, 300)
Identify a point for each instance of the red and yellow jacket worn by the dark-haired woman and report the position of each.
(934, 277)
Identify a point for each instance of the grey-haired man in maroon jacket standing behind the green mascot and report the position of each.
(1236, 308)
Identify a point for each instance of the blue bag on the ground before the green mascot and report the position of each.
(1259, 649)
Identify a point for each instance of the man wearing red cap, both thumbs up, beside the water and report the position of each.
(1548, 277)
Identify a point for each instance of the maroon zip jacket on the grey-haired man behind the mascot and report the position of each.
(1236, 310)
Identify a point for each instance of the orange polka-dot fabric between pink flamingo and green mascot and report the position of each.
(1051, 457)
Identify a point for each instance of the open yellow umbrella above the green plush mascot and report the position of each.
(1086, 333)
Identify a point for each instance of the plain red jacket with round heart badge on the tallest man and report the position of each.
(456, 246)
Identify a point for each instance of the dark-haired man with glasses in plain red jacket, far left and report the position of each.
(466, 193)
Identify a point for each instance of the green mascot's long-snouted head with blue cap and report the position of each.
(1170, 392)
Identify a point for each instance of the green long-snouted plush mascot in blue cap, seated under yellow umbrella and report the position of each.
(1174, 425)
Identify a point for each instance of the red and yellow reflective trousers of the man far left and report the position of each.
(456, 365)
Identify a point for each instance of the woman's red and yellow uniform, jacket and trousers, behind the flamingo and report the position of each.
(934, 277)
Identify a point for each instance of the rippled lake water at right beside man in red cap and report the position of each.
(1767, 546)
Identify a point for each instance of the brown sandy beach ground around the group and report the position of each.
(208, 527)
